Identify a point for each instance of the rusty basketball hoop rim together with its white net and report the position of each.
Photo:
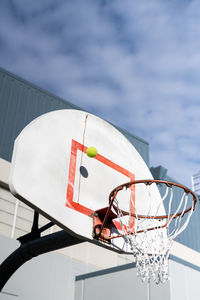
(151, 234)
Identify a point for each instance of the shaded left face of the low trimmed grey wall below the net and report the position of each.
(117, 283)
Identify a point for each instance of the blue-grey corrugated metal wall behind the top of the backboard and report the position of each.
(21, 102)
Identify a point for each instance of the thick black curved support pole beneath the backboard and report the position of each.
(34, 248)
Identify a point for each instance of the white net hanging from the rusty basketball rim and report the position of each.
(151, 237)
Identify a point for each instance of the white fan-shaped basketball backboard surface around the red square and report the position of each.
(41, 162)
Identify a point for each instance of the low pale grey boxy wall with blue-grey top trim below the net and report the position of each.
(119, 282)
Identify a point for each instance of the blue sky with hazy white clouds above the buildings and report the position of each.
(133, 63)
